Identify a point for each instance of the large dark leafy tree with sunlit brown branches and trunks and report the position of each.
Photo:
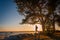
(39, 11)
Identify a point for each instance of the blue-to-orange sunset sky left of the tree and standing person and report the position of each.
(10, 18)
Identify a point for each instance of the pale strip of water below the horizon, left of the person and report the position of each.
(7, 34)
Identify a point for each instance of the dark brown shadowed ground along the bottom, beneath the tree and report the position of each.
(55, 36)
